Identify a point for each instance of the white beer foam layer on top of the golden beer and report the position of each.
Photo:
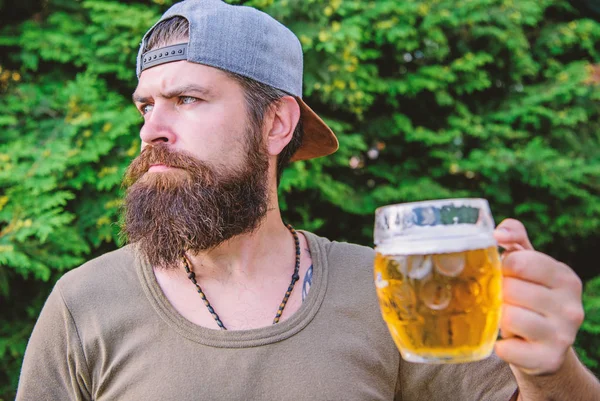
(421, 245)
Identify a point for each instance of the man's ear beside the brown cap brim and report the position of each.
(285, 116)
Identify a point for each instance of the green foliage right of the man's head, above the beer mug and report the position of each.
(439, 98)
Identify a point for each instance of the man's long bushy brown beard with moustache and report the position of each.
(194, 208)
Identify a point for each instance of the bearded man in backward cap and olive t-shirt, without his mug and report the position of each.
(216, 298)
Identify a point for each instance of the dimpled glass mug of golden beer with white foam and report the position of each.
(438, 279)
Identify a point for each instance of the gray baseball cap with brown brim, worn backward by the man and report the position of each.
(250, 43)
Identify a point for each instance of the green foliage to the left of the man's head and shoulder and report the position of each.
(68, 133)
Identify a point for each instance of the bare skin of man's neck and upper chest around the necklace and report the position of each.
(244, 279)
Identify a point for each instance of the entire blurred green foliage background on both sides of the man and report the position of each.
(430, 99)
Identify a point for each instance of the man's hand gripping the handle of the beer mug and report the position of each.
(542, 309)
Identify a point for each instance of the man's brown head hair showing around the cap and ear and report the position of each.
(259, 97)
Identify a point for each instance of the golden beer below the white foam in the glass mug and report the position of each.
(444, 306)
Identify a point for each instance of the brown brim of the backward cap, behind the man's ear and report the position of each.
(318, 140)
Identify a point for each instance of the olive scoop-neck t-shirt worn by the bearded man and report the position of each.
(107, 332)
